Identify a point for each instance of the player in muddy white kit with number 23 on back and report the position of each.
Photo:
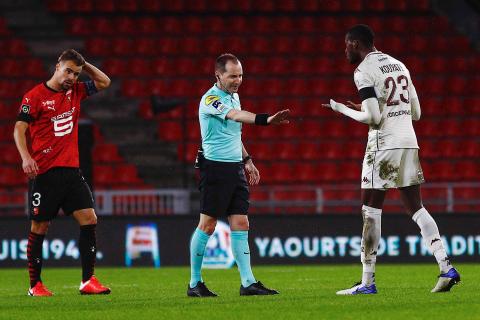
(389, 104)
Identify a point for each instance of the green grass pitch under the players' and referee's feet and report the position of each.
(306, 292)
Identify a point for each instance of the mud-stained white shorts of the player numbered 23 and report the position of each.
(394, 168)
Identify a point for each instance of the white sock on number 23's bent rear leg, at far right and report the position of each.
(431, 236)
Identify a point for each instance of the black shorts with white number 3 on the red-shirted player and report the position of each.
(59, 187)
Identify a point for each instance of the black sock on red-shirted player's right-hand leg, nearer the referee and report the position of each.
(88, 250)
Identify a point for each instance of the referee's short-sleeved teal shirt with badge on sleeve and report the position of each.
(221, 138)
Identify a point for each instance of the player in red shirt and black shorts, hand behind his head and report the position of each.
(50, 111)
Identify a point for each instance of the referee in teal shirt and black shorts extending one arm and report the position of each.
(223, 185)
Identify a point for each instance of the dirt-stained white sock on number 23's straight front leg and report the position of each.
(372, 229)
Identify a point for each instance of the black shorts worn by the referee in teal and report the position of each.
(224, 189)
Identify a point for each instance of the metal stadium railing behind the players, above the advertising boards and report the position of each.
(451, 197)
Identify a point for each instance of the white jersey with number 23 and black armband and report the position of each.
(393, 88)
